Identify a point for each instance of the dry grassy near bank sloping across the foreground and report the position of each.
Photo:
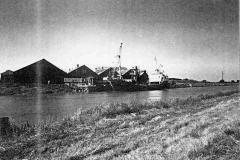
(203, 127)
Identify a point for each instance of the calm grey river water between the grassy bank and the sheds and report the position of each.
(44, 107)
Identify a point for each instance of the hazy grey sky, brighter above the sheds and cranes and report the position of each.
(195, 39)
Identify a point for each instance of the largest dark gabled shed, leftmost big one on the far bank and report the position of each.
(40, 72)
